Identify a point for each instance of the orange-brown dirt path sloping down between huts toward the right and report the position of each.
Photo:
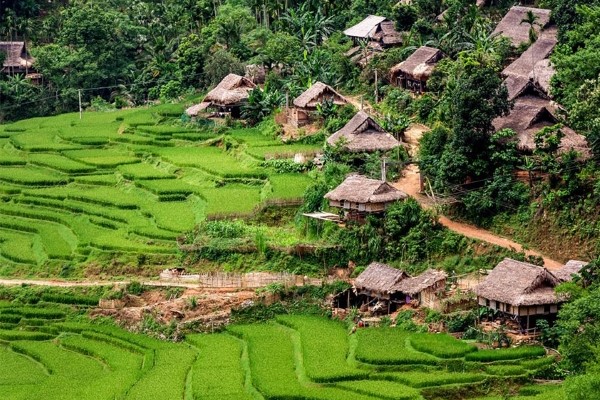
(410, 185)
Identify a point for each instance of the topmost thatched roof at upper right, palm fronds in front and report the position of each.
(518, 32)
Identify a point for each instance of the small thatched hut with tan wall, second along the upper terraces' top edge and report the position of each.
(305, 105)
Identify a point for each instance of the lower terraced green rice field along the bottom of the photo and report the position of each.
(43, 355)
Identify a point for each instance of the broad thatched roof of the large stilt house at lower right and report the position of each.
(520, 284)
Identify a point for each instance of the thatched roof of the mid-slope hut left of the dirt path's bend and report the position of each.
(360, 189)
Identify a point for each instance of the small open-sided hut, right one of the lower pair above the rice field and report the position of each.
(426, 289)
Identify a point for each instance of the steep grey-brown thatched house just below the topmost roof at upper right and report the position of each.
(531, 70)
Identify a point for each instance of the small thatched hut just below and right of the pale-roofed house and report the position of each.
(413, 73)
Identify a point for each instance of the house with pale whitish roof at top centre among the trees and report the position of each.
(370, 36)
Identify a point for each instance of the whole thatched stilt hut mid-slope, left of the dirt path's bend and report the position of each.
(359, 195)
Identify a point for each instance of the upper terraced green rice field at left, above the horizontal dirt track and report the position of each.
(127, 181)
